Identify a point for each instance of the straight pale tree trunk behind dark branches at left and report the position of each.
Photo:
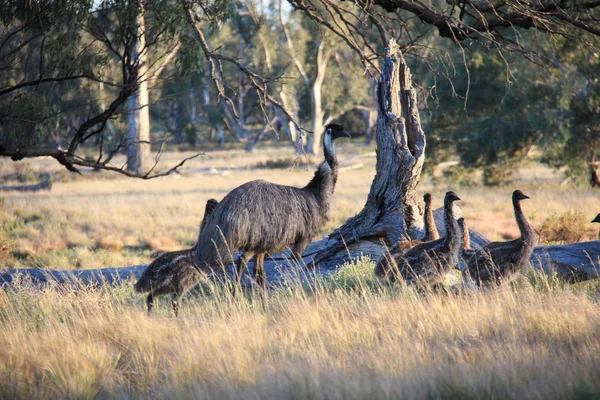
(138, 129)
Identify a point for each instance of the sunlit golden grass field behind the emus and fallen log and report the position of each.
(129, 218)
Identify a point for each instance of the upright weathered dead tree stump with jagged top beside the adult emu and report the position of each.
(391, 206)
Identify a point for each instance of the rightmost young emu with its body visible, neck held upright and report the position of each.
(499, 261)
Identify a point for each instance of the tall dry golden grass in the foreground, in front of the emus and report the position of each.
(345, 337)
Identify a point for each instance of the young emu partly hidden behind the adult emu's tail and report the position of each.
(172, 272)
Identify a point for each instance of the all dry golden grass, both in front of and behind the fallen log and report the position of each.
(345, 337)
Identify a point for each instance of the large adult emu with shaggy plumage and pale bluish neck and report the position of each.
(260, 218)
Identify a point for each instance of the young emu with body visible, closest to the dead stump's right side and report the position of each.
(426, 263)
